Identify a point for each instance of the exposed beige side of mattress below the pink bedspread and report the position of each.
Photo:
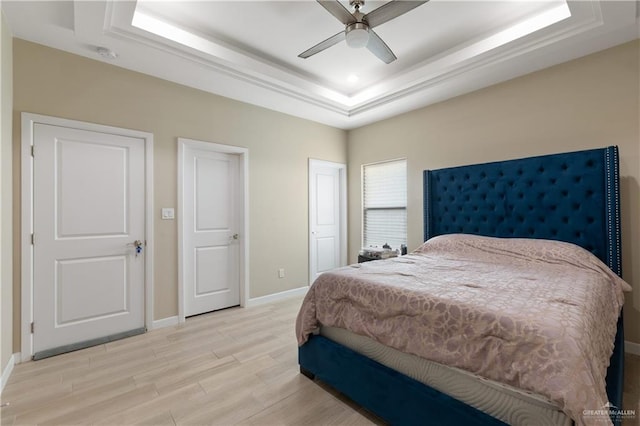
(509, 404)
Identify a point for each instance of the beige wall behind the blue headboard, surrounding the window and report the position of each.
(586, 103)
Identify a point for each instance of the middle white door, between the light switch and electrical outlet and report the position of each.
(211, 249)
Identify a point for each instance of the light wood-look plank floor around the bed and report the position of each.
(236, 366)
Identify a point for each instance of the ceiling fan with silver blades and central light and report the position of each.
(358, 30)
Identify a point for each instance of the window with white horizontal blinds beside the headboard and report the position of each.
(384, 200)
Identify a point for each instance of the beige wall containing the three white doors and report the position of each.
(51, 82)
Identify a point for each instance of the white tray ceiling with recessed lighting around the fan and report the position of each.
(247, 50)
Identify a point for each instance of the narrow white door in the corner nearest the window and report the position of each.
(327, 241)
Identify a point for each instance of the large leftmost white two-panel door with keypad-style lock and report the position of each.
(89, 198)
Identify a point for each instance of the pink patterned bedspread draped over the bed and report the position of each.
(535, 314)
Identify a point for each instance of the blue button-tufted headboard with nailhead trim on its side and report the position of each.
(571, 197)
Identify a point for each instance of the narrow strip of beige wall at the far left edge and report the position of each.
(6, 261)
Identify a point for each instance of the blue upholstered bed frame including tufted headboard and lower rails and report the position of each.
(571, 197)
